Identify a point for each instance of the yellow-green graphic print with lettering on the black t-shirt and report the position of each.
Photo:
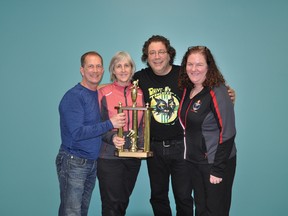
(165, 105)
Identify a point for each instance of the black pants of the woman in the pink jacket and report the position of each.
(117, 178)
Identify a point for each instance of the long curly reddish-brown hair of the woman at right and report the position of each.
(213, 77)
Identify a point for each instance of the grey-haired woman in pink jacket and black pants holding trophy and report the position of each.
(117, 175)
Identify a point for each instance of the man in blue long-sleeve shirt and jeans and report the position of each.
(81, 134)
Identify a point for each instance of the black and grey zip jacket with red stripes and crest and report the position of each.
(208, 121)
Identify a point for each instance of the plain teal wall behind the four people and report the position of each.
(40, 46)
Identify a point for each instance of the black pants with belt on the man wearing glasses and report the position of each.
(168, 161)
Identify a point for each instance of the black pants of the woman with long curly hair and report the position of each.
(212, 199)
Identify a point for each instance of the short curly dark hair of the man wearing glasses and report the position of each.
(158, 38)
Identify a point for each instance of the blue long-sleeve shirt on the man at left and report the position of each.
(80, 123)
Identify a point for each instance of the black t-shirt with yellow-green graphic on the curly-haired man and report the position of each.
(163, 95)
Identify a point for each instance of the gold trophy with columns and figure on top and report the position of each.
(134, 150)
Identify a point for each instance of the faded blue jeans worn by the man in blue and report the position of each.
(77, 177)
